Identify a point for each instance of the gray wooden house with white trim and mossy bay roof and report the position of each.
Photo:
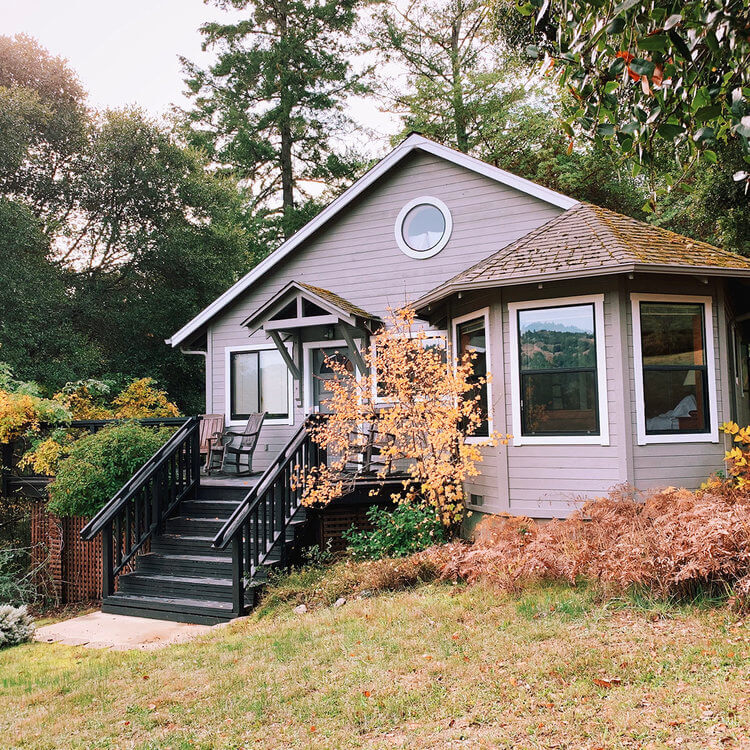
(616, 348)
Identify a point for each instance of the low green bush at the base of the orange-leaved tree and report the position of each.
(399, 532)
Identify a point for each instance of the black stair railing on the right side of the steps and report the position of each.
(261, 519)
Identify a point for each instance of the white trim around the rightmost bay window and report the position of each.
(708, 327)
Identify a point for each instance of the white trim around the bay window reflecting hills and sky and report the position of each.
(601, 372)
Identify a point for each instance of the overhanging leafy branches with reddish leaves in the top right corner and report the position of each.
(646, 74)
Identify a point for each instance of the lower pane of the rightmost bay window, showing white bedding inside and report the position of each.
(675, 400)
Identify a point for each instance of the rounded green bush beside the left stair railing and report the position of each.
(100, 464)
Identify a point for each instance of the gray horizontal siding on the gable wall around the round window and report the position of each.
(356, 257)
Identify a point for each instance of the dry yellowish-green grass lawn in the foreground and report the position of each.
(436, 667)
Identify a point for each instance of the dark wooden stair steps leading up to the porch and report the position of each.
(184, 578)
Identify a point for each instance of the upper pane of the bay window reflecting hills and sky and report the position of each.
(553, 337)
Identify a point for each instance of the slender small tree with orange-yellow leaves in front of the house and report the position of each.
(424, 408)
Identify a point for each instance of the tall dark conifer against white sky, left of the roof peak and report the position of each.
(267, 110)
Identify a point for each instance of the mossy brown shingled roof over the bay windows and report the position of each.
(589, 240)
